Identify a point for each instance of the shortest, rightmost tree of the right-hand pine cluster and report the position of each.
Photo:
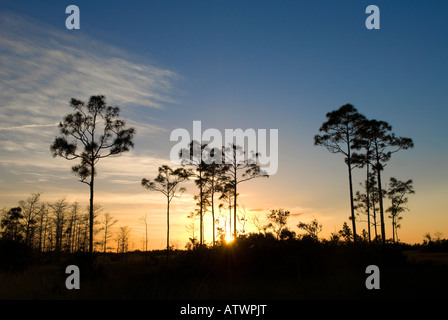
(397, 194)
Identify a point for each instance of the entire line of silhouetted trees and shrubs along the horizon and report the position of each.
(94, 131)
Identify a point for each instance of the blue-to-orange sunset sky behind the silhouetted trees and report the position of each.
(229, 64)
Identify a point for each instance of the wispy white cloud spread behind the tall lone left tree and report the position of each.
(41, 69)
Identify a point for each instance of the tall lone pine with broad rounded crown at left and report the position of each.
(97, 129)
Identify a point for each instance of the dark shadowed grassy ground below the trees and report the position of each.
(250, 269)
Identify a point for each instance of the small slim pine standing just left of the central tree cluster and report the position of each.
(167, 182)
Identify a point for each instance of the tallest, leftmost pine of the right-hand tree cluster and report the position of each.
(339, 133)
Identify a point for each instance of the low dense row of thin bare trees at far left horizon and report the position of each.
(61, 226)
